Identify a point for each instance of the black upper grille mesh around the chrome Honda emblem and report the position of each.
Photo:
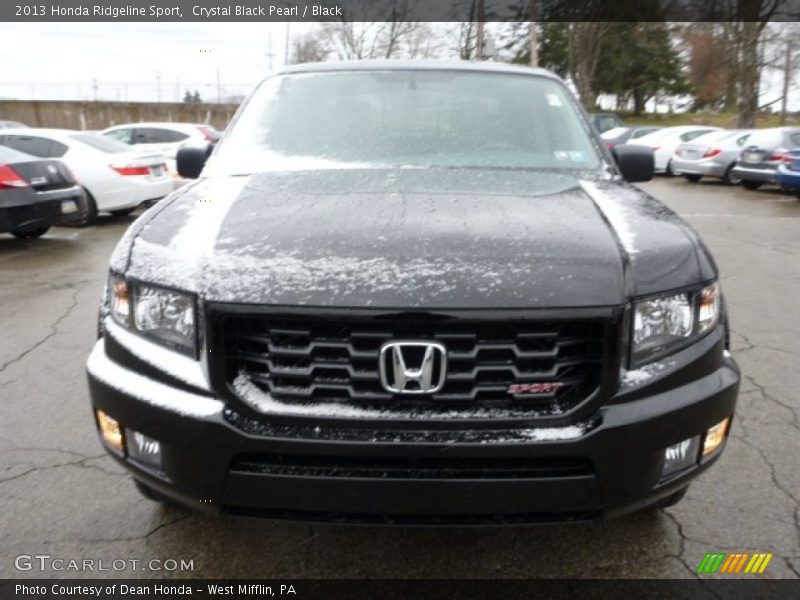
(310, 360)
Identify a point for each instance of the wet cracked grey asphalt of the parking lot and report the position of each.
(61, 496)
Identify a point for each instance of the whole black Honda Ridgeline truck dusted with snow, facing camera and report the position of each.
(406, 292)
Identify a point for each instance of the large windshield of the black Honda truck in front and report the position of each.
(406, 118)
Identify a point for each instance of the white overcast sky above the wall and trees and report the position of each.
(60, 61)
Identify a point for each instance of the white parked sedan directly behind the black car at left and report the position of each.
(115, 177)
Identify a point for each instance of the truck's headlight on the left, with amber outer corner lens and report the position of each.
(165, 315)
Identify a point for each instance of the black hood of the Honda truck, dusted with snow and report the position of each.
(406, 238)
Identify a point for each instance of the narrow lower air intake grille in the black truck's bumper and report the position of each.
(397, 467)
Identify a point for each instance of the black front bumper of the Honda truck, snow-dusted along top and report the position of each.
(217, 459)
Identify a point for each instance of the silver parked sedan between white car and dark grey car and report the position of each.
(711, 155)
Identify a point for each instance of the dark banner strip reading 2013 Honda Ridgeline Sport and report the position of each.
(398, 10)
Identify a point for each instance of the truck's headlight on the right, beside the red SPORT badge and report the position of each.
(664, 324)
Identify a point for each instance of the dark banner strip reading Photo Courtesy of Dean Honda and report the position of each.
(312, 589)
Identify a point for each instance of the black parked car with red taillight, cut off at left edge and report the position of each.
(37, 194)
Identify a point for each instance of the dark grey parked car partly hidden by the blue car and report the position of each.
(765, 150)
